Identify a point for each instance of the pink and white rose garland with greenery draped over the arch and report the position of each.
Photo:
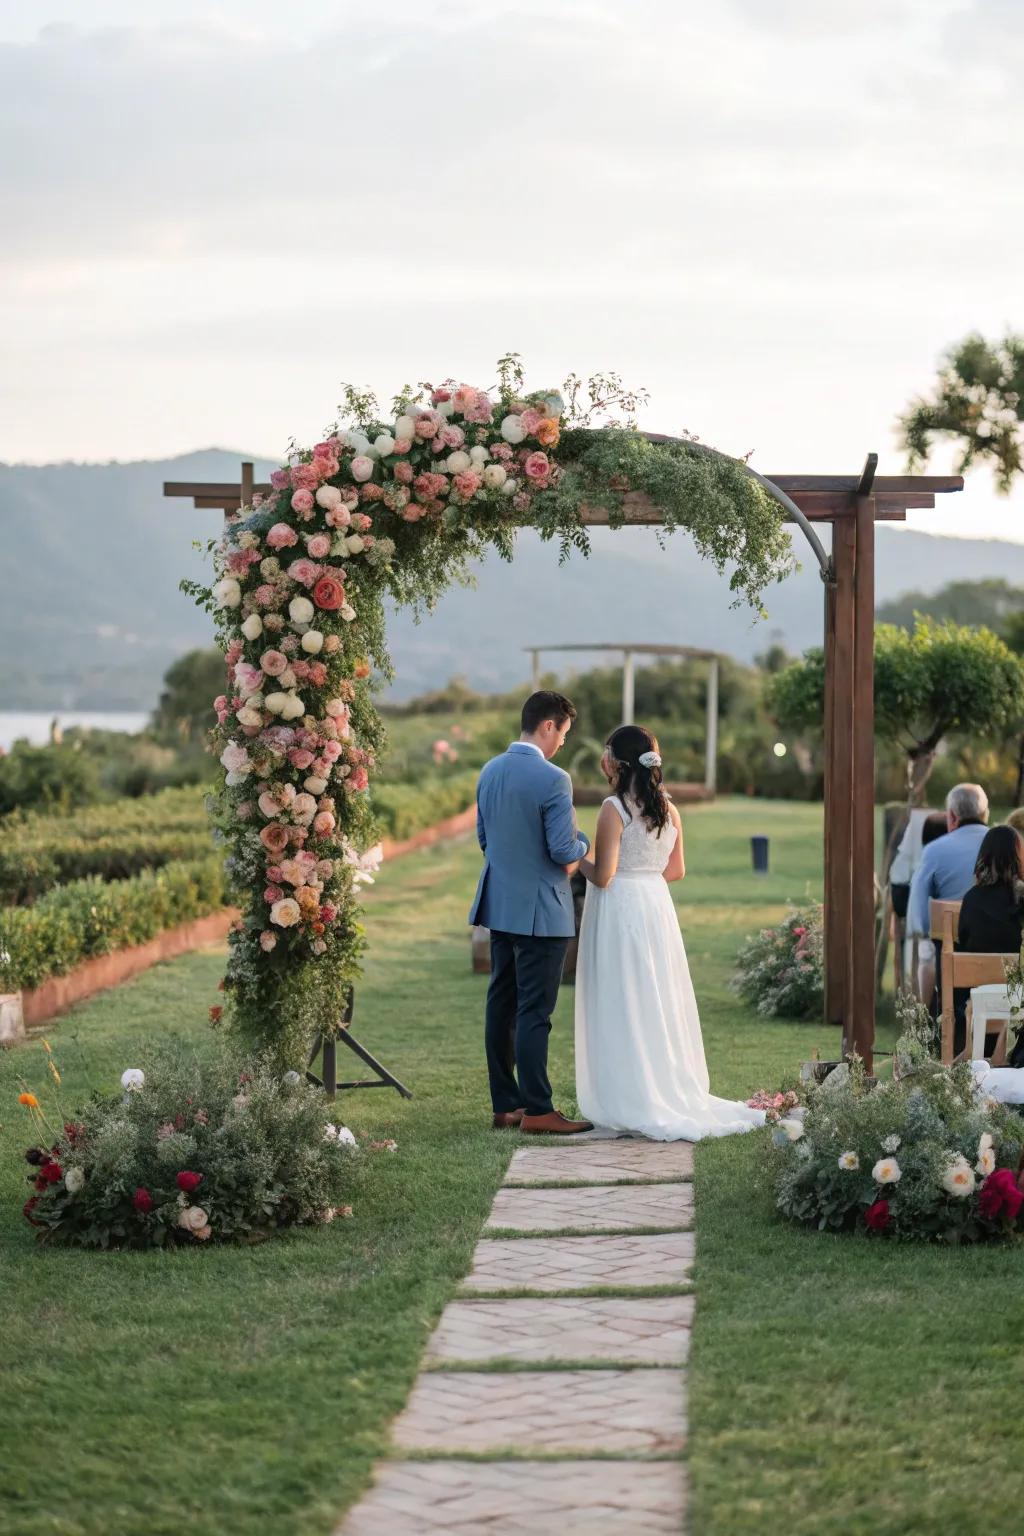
(395, 505)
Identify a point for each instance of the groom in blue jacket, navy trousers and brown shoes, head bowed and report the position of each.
(527, 830)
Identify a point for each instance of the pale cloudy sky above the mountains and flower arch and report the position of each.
(775, 216)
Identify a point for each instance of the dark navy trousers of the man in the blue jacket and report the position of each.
(526, 975)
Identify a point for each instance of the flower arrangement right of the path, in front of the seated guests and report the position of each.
(923, 1157)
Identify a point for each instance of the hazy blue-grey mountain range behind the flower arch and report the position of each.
(93, 558)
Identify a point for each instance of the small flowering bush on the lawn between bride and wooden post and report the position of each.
(782, 970)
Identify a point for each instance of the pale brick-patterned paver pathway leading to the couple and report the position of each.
(609, 1414)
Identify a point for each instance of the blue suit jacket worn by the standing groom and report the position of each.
(527, 830)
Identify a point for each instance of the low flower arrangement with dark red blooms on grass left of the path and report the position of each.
(188, 1153)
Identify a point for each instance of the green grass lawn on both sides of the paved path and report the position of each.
(836, 1385)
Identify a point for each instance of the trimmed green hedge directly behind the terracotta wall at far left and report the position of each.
(94, 918)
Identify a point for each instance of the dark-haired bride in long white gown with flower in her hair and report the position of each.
(639, 1053)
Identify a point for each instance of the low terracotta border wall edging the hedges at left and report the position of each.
(62, 993)
